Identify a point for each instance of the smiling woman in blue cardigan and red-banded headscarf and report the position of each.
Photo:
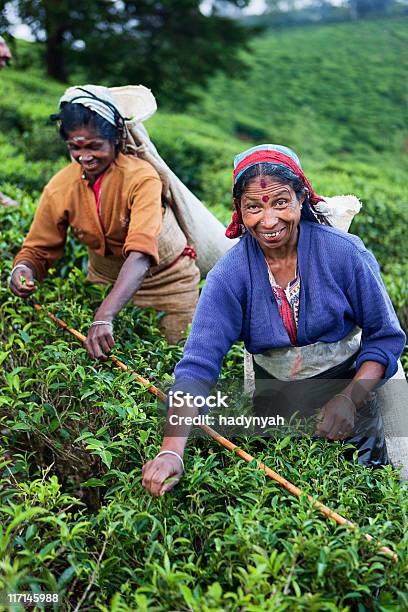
(309, 304)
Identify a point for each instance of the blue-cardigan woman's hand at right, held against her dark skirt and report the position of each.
(335, 420)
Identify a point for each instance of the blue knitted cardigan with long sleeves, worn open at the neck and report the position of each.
(341, 287)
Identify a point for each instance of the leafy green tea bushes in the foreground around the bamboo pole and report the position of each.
(76, 520)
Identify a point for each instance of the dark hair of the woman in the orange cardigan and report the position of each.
(74, 116)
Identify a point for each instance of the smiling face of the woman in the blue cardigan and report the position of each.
(271, 213)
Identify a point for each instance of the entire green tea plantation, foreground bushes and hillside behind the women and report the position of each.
(74, 518)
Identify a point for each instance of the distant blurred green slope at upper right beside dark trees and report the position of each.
(336, 89)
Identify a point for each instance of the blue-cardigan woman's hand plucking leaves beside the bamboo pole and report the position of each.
(161, 474)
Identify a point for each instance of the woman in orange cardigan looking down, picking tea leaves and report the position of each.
(112, 202)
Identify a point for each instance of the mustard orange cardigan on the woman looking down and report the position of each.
(131, 214)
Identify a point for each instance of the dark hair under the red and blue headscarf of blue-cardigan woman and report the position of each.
(284, 175)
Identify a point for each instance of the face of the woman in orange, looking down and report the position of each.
(88, 148)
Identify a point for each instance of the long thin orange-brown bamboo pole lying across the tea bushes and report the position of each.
(340, 520)
